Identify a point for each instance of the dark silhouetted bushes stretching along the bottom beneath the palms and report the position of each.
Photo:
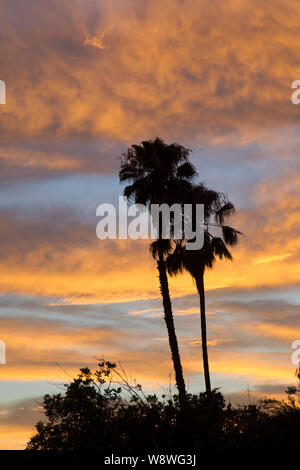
(103, 411)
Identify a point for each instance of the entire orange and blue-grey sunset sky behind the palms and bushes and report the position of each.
(87, 78)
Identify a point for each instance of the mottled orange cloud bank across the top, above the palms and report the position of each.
(180, 69)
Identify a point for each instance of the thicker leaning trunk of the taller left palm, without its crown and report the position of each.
(164, 289)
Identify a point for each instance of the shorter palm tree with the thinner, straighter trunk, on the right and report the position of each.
(217, 209)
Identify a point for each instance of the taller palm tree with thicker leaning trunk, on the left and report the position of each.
(160, 173)
